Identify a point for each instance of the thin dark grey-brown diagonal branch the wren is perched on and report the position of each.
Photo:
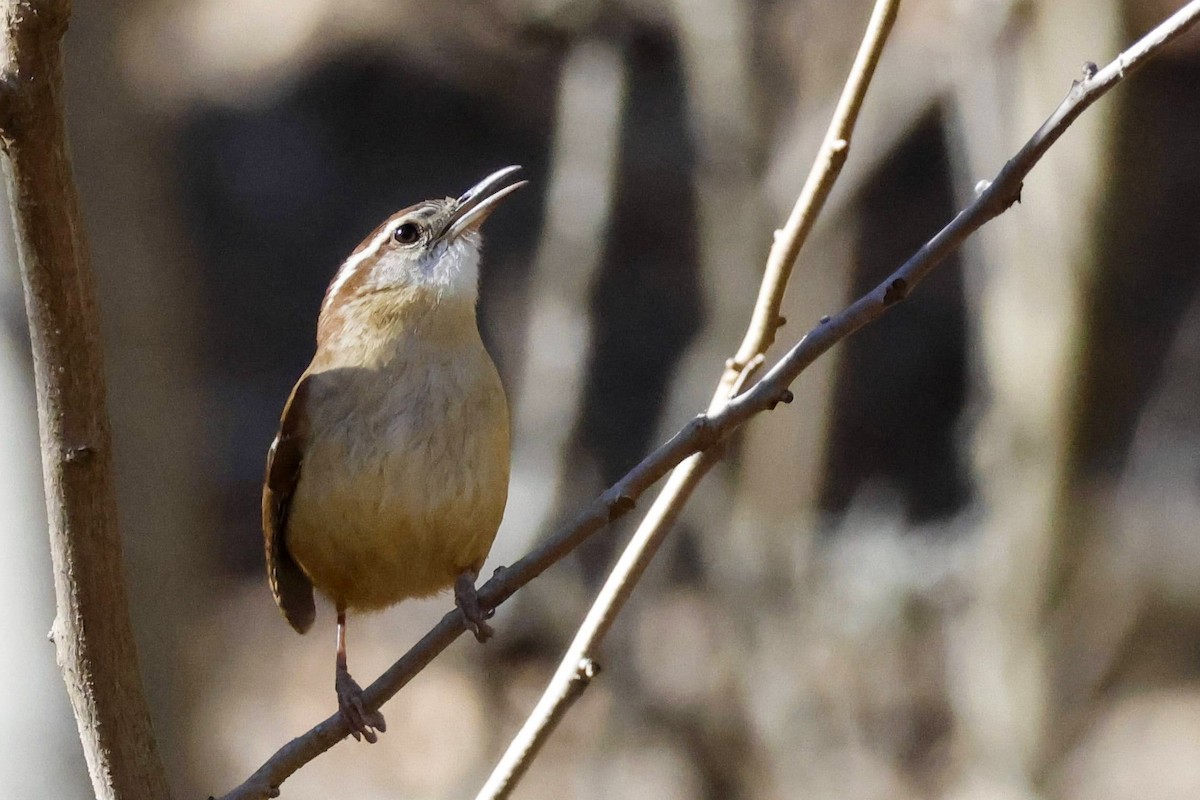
(710, 430)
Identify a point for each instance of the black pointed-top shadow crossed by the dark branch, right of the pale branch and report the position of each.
(903, 381)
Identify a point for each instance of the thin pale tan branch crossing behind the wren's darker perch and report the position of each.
(765, 322)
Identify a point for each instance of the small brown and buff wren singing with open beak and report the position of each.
(391, 471)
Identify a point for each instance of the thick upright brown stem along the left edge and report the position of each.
(92, 631)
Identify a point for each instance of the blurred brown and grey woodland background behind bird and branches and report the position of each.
(964, 564)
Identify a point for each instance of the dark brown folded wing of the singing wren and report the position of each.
(290, 586)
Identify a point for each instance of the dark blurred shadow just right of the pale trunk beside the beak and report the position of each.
(646, 303)
